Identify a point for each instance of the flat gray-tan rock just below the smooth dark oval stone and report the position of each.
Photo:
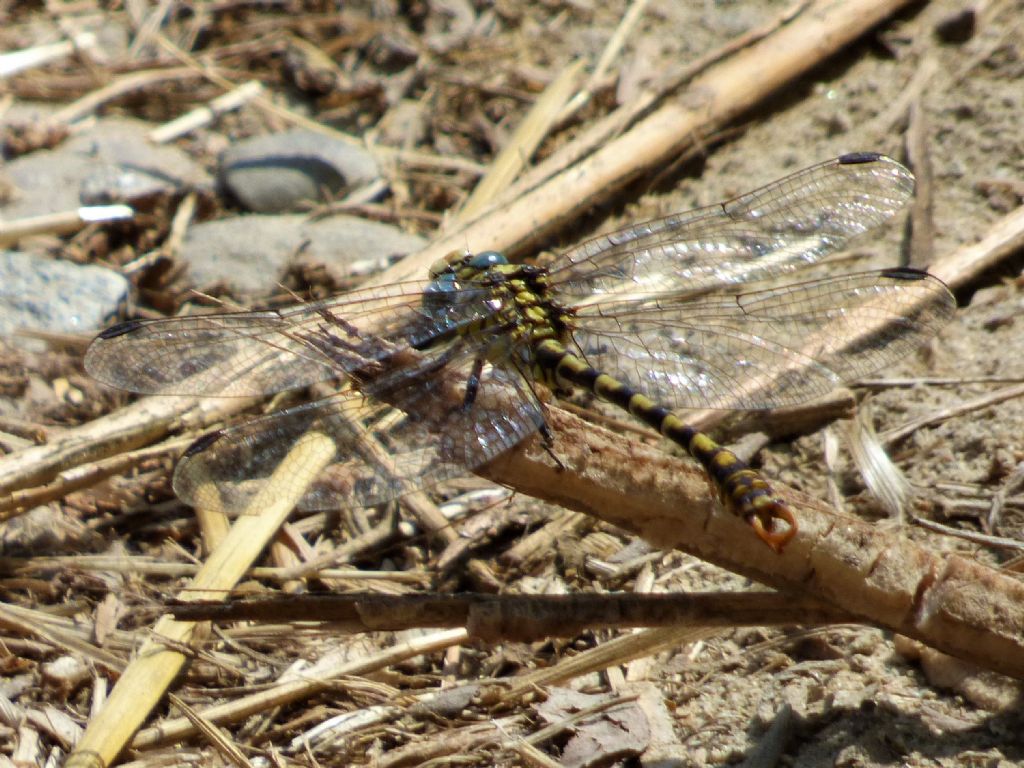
(250, 255)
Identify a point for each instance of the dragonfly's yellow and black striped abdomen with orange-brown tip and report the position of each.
(743, 489)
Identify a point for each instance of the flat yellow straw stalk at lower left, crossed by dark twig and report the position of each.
(148, 677)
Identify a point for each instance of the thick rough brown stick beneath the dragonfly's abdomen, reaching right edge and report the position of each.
(946, 602)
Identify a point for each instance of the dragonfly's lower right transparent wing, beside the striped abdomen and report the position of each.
(767, 349)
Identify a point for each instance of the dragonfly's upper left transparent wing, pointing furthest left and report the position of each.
(260, 353)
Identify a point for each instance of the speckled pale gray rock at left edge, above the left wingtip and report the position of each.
(42, 294)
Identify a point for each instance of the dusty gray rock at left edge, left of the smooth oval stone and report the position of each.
(114, 162)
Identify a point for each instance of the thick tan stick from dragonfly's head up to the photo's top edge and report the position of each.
(720, 95)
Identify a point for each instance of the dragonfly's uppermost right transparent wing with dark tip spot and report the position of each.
(780, 228)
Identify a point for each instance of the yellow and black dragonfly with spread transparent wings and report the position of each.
(442, 375)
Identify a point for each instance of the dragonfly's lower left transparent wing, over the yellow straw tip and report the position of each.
(380, 453)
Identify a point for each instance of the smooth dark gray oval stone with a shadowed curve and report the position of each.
(279, 172)
